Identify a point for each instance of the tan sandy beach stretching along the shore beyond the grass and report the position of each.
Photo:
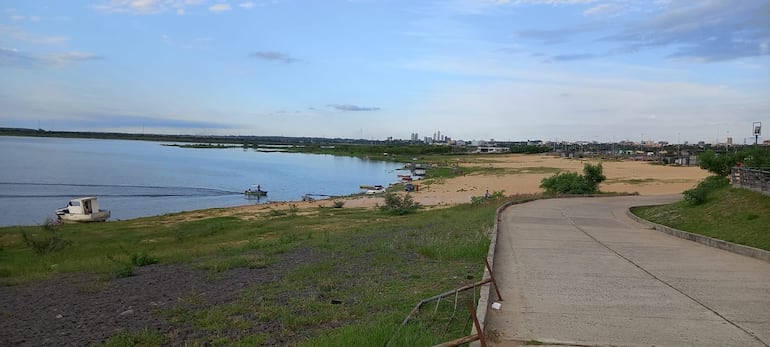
(521, 174)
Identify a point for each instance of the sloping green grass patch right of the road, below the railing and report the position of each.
(735, 215)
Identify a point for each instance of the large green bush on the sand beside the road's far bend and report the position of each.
(574, 183)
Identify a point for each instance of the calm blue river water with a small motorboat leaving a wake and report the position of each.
(139, 178)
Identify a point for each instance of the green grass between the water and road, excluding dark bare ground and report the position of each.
(366, 272)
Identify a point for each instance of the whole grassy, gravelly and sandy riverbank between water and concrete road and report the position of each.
(252, 275)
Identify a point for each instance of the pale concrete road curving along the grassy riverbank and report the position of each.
(580, 272)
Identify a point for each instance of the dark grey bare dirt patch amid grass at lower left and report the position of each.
(82, 310)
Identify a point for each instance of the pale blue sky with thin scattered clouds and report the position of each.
(509, 70)
